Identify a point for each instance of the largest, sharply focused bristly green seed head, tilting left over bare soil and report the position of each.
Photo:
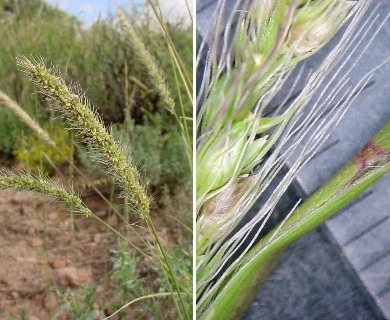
(78, 111)
